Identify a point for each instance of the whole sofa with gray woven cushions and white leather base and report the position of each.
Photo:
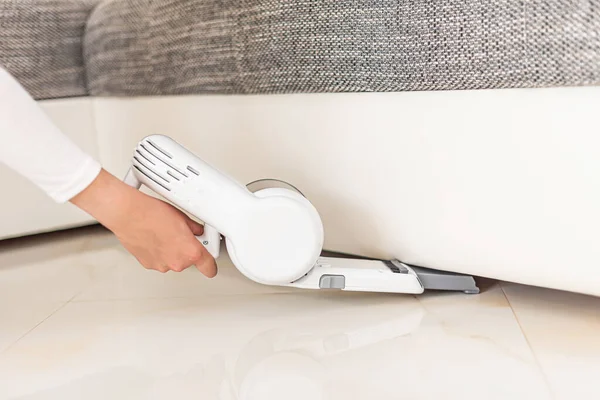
(460, 135)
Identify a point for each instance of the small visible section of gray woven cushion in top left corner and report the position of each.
(40, 44)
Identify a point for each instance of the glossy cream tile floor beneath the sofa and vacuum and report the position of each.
(79, 319)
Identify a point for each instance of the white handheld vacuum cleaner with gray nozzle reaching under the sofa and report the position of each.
(274, 235)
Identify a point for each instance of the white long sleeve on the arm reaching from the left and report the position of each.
(33, 146)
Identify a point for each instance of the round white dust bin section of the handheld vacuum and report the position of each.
(281, 239)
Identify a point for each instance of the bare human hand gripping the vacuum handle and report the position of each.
(158, 235)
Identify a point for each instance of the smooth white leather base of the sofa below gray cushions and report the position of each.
(497, 183)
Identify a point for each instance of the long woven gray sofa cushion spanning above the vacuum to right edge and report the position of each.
(138, 47)
